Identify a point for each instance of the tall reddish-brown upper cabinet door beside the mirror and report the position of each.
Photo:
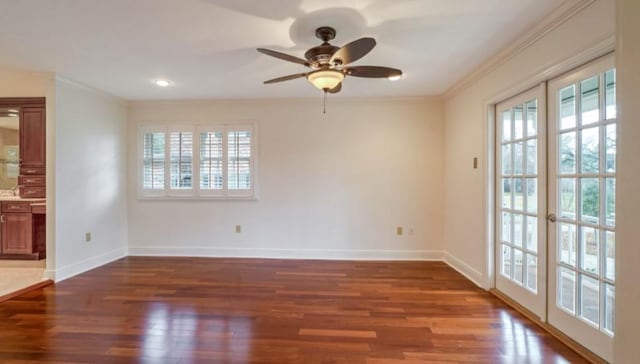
(32, 138)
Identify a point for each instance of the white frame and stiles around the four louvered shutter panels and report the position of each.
(195, 192)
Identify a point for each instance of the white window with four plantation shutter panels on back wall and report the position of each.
(216, 161)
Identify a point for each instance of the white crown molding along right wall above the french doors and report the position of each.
(559, 16)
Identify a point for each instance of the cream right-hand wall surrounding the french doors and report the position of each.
(466, 129)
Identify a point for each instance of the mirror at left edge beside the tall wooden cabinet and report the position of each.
(9, 147)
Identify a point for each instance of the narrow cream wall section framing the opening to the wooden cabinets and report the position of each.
(19, 83)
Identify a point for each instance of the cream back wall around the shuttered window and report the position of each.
(330, 186)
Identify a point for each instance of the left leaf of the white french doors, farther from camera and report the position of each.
(520, 199)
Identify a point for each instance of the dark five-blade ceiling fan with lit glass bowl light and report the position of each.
(328, 63)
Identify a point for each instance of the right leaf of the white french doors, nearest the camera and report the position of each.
(582, 180)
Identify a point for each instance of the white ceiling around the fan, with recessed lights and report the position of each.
(207, 47)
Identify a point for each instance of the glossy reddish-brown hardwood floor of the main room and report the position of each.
(199, 310)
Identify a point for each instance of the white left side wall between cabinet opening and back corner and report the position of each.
(90, 178)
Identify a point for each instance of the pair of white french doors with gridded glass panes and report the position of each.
(555, 203)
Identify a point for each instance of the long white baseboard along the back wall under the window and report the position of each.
(329, 254)
